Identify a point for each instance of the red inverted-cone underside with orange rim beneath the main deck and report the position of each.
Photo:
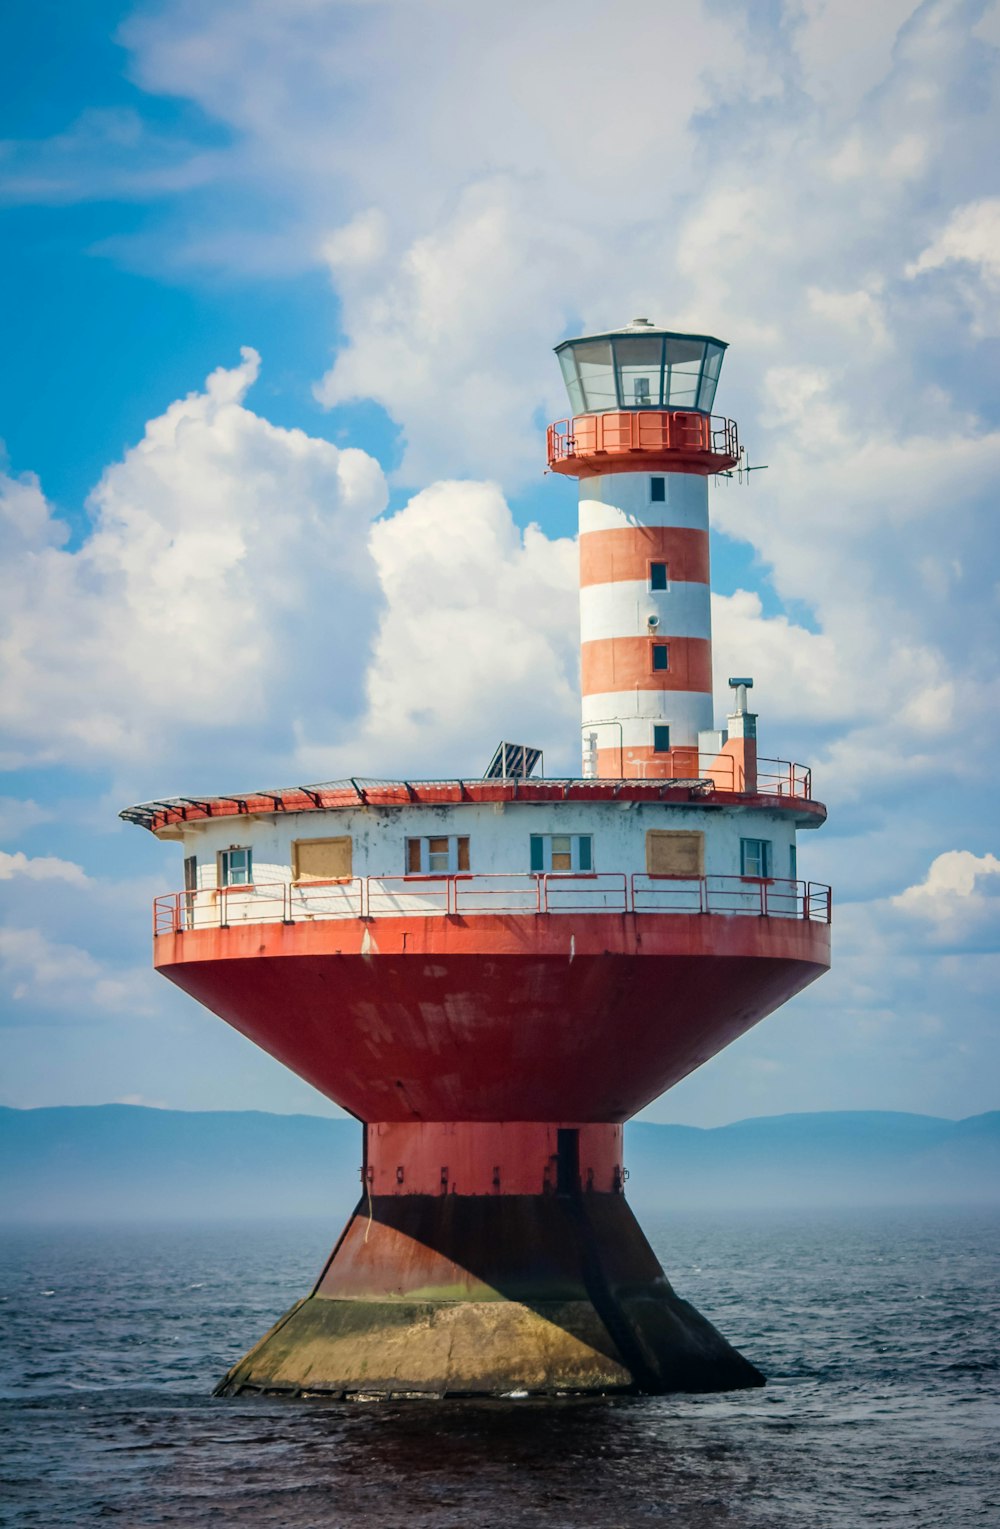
(582, 1018)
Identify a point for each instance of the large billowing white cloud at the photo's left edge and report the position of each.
(227, 588)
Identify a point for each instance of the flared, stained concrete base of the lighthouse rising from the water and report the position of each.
(482, 1297)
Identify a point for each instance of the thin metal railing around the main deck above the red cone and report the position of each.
(501, 894)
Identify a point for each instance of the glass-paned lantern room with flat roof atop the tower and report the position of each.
(641, 368)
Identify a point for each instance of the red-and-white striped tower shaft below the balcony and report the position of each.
(646, 622)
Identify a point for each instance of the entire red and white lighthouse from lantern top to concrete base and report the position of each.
(495, 973)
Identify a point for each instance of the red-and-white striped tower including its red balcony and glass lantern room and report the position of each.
(644, 444)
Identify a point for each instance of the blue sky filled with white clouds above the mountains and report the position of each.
(282, 284)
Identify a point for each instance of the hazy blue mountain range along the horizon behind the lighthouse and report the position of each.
(120, 1161)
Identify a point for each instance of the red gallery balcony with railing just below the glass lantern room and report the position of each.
(643, 441)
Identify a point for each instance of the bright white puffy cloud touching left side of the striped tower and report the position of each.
(479, 641)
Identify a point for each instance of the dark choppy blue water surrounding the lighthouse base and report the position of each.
(880, 1334)
